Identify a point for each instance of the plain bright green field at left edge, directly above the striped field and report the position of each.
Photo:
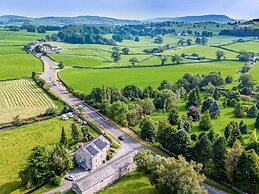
(18, 65)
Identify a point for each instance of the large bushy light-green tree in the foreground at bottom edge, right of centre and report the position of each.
(180, 172)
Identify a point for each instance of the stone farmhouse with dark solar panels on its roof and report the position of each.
(91, 155)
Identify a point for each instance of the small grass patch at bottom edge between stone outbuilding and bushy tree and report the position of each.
(133, 183)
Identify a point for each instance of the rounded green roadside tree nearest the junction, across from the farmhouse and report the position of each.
(148, 129)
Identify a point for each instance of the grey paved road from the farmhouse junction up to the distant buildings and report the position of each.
(128, 145)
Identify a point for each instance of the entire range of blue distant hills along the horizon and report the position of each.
(98, 20)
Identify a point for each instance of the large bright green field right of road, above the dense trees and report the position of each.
(142, 76)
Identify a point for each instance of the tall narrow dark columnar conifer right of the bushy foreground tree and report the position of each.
(219, 159)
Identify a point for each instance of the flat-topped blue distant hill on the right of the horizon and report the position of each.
(196, 19)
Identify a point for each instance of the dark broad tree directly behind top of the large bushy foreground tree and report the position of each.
(180, 143)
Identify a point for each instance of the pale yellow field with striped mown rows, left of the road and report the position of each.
(22, 97)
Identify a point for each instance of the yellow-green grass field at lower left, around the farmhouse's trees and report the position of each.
(16, 145)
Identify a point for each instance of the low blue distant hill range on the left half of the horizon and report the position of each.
(62, 21)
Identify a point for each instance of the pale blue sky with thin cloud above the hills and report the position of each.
(131, 9)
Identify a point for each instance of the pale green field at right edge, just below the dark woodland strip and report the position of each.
(252, 46)
